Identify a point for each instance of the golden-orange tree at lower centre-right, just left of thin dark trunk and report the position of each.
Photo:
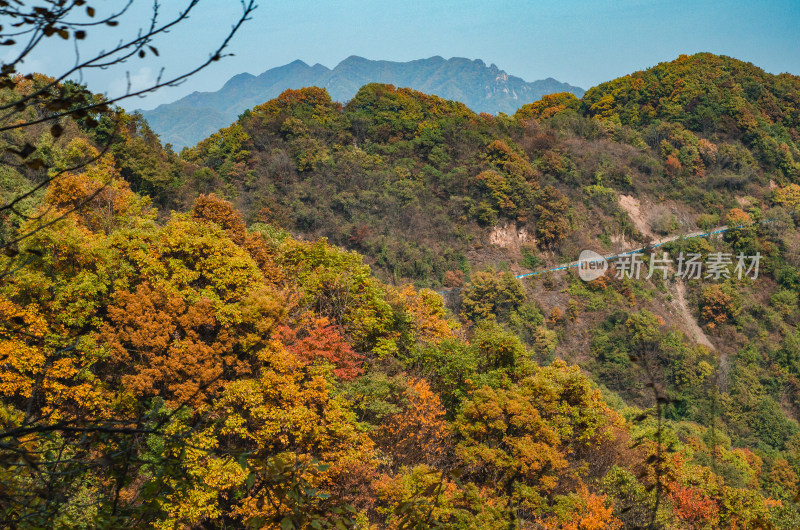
(520, 437)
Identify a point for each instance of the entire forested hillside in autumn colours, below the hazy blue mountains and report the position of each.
(244, 334)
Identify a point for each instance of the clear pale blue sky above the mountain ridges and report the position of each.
(581, 42)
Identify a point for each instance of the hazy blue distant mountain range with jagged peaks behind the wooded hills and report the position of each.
(482, 88)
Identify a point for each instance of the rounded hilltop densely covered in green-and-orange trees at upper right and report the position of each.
(712, 95)
